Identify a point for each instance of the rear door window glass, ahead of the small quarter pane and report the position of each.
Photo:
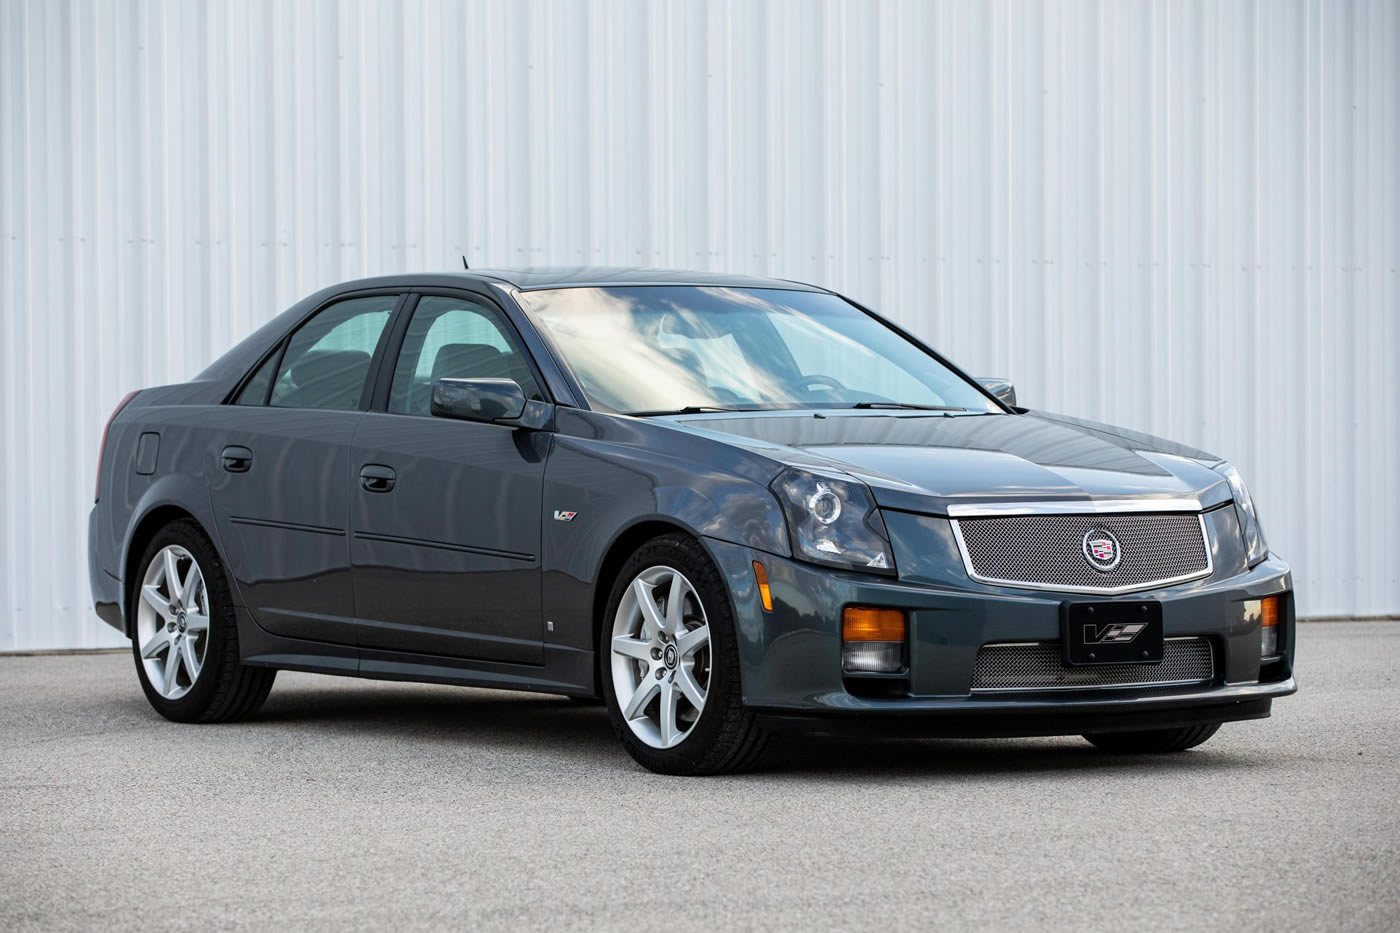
(328, 358)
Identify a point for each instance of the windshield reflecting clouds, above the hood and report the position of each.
(652, 350)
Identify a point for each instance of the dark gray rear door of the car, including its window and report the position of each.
(279, 471)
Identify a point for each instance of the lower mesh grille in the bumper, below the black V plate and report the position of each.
(1041, 668)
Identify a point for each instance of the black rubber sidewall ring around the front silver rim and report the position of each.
(695, 753)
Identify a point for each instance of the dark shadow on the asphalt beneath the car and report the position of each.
(554, 726)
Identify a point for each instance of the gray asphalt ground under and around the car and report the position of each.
(349, 805)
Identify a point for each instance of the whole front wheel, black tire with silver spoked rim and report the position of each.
(696, 654)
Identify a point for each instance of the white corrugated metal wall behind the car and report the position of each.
(1182, 218)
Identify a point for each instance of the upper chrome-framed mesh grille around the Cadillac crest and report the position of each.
(1048, 551)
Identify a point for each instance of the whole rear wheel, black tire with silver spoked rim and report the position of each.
(197, 626)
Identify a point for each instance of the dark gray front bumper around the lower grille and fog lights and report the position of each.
(792, 658)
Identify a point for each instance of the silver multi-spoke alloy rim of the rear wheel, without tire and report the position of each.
(173, 623)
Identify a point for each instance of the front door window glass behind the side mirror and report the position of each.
(454, 338)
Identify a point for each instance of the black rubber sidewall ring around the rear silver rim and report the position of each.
(223, 644)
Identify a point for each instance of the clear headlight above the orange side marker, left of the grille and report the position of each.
(834, 522)
